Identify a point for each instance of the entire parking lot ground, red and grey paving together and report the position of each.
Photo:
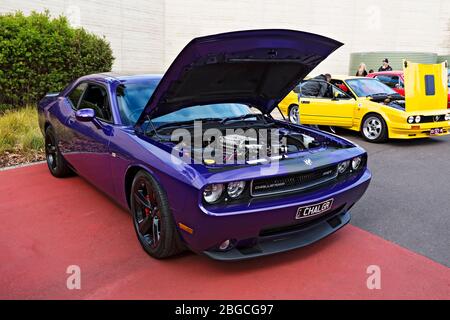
(400, 225)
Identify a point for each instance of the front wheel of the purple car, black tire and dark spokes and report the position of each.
(152, 218)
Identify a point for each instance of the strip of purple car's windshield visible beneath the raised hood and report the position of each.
(212, 111)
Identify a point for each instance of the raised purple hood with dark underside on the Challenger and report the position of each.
(256, 67)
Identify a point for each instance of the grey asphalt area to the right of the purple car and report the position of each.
(408, 201)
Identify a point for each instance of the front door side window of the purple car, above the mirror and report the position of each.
(96, 98)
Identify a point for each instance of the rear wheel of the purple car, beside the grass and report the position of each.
(55, 161)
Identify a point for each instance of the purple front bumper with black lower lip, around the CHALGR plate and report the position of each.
(247, 230)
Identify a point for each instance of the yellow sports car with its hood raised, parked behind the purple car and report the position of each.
(378, 112)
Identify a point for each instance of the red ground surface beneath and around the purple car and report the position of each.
(48, 224)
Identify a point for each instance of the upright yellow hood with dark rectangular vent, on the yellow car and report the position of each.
(426, 86)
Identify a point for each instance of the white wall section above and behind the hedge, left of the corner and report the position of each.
(135, 29)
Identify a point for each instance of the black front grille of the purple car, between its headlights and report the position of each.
(293, 182)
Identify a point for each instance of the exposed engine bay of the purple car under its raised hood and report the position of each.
(243, 142)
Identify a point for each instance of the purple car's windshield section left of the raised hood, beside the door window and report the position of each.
(132, 98)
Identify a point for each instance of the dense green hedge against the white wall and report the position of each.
(39, 54)
